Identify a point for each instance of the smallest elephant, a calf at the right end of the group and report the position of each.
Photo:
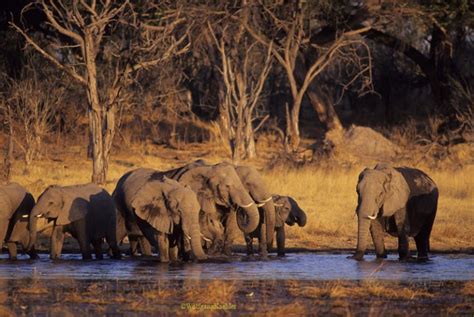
(287, 211)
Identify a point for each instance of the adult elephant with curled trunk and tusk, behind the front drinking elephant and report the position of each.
(220, 191)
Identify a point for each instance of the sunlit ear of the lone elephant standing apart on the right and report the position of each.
(396, 190)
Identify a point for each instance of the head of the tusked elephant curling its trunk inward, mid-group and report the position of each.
(220, 185)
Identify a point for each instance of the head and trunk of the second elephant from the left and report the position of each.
(58, 205)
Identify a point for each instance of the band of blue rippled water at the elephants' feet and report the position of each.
(302, 266)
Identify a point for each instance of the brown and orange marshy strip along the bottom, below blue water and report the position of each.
(226, 297)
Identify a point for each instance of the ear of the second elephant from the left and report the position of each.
(72, 207)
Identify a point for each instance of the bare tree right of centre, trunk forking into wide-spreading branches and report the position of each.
(288, 51)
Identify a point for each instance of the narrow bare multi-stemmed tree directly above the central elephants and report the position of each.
(244, 69)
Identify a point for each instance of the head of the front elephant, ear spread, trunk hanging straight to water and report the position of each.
(165, 204)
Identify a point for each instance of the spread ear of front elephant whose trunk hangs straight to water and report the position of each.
(149, 204)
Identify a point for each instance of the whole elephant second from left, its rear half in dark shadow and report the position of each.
(86, 211)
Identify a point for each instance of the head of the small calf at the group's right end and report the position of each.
(288, 211)
